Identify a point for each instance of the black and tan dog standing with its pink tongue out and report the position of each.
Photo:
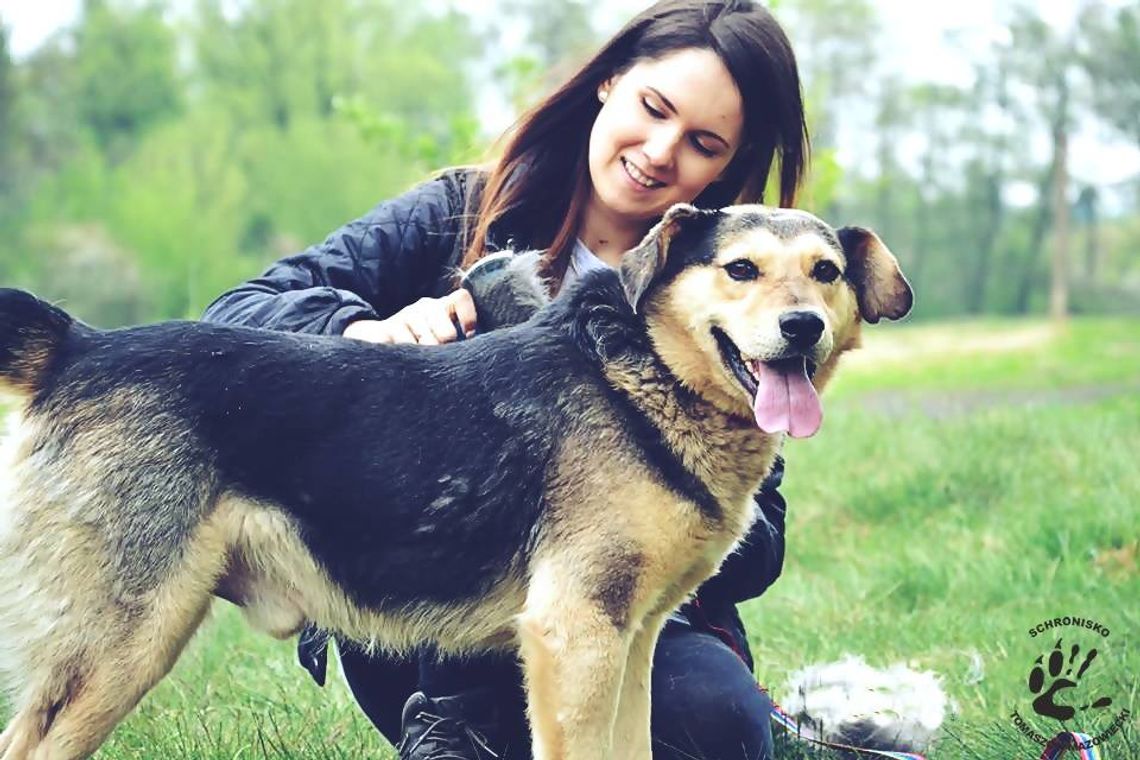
(557, 487)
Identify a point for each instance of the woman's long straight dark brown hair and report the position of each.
(542, 177)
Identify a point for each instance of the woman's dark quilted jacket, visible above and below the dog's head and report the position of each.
(410, 248)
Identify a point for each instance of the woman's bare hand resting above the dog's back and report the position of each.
(428, 322)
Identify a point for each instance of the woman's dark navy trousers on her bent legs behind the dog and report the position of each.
(706, 702)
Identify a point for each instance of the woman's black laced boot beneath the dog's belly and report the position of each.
(449, 728)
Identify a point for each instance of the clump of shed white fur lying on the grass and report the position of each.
(850, 702)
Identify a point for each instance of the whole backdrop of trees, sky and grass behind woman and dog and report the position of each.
(976, 473)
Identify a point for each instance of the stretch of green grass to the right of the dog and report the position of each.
(940, 541)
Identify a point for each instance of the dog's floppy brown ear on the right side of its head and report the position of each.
(874, 271)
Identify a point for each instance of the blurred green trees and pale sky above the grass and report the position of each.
(152, 154)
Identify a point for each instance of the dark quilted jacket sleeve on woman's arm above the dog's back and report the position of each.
(369, 269)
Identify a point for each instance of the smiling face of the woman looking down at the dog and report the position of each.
(667, 128)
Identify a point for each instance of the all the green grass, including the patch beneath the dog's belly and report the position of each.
(971, 481)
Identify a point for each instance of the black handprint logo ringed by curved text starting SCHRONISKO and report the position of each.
(1068, 684)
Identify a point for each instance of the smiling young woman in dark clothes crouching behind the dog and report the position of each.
(694, 101)
